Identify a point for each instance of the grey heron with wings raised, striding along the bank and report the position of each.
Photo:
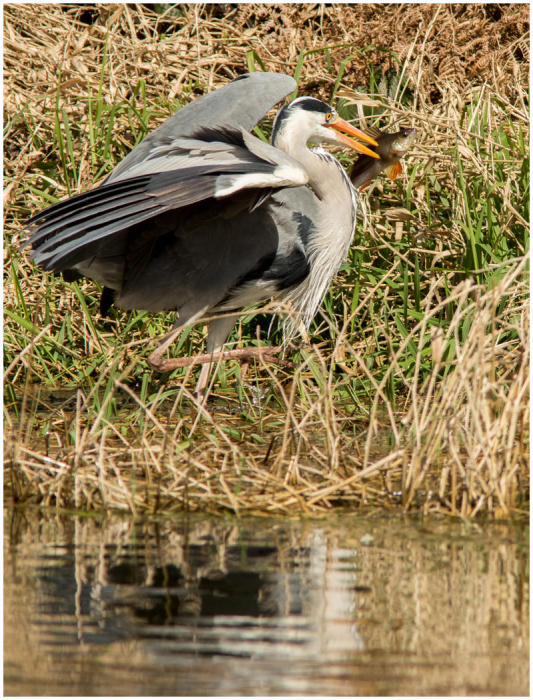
(205, 219)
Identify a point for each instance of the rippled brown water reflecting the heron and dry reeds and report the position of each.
(211, 606)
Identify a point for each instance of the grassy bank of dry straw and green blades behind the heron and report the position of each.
(414, 389)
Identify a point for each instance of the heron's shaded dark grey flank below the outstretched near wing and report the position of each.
(218, 265)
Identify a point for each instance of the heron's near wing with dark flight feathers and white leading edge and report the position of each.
(195, 170)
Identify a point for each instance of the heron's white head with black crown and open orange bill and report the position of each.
(313, 121)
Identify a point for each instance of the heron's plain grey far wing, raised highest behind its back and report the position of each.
(239, 104)
